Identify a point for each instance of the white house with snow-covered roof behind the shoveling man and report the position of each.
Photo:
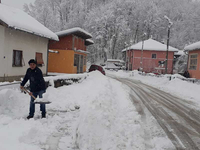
(21, 38)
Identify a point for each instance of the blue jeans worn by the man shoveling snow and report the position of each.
(32, 104)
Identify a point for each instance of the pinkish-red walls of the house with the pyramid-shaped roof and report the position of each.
(149, 64)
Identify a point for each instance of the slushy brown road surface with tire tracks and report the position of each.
(178, 135)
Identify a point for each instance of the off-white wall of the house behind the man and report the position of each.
(26, 42)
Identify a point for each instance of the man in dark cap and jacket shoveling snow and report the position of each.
(37, 87)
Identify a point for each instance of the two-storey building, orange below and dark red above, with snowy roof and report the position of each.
(71, 51)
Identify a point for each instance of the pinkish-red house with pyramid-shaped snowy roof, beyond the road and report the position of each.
(149, 56)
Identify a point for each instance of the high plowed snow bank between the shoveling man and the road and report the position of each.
(108, 118)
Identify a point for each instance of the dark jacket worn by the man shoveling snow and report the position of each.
(36, 79)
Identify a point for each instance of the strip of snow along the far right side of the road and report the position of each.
(176, 86)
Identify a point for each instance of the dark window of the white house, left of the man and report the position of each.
(17, 58)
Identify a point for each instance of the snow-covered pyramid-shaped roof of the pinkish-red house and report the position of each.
(150, 44)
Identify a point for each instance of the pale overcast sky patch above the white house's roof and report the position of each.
(16, 3)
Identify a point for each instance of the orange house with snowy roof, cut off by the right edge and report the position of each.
(193, 65)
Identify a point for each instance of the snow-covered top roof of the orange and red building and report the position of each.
(76, 31)
